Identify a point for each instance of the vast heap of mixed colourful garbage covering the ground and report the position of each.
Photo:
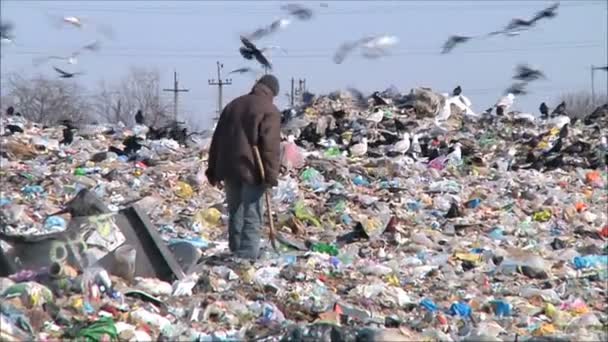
(395, 223)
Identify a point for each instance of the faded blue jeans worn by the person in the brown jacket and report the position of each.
(245, 209)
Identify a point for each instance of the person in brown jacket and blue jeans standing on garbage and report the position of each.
(247, 122)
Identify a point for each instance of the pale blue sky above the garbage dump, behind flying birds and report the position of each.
(191, 35)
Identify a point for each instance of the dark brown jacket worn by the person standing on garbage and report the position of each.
(248, 120)
